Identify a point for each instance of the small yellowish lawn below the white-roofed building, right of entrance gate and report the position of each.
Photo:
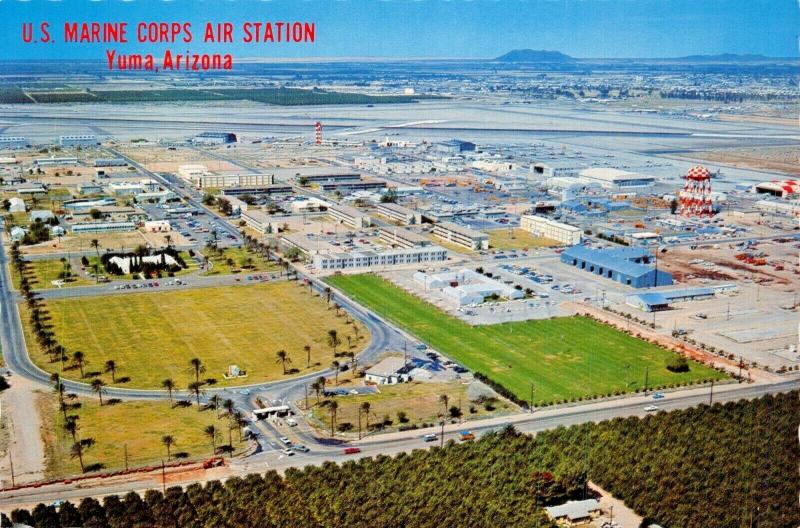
(420, 401)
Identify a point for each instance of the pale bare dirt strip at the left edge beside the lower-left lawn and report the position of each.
(24, 427)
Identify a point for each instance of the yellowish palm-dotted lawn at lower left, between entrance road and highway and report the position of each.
(137, 425)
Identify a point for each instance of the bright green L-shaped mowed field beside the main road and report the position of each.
(563, 358)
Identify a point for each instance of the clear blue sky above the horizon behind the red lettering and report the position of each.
(440, 28)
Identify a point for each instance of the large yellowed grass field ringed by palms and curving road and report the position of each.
(153, 336)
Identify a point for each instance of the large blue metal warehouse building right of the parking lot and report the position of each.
(629, 266)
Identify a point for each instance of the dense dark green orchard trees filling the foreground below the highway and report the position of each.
(731, 465)
